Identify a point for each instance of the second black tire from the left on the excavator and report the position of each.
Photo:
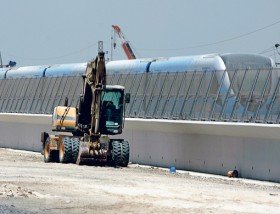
(65, 151)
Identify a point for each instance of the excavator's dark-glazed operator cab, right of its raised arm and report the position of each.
(112, 110)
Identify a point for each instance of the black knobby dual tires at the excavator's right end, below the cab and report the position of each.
(120, 153)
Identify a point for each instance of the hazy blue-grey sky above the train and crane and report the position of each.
(35, 32)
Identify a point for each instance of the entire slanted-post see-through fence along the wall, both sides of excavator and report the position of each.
(229, 96)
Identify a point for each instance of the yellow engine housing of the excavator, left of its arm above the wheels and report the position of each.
(64, 119)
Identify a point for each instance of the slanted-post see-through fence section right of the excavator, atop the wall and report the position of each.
(228, 96)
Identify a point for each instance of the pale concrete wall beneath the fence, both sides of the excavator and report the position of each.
(212, 147)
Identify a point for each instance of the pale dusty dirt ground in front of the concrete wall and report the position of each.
(27, 185)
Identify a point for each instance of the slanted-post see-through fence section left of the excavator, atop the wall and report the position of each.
(39, 95)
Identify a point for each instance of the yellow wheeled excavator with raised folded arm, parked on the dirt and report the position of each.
(83, 132)
